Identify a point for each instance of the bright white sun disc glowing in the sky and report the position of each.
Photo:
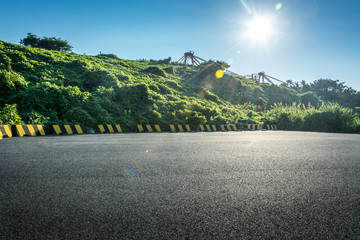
(259, 28)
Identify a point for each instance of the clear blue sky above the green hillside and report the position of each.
(309, 39)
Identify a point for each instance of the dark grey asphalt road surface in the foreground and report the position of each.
(235, 185)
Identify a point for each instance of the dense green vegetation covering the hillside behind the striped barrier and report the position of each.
(53, 87)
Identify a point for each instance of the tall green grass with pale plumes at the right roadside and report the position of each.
(329, 117)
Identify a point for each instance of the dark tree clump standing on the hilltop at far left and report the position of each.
(51, 43)
